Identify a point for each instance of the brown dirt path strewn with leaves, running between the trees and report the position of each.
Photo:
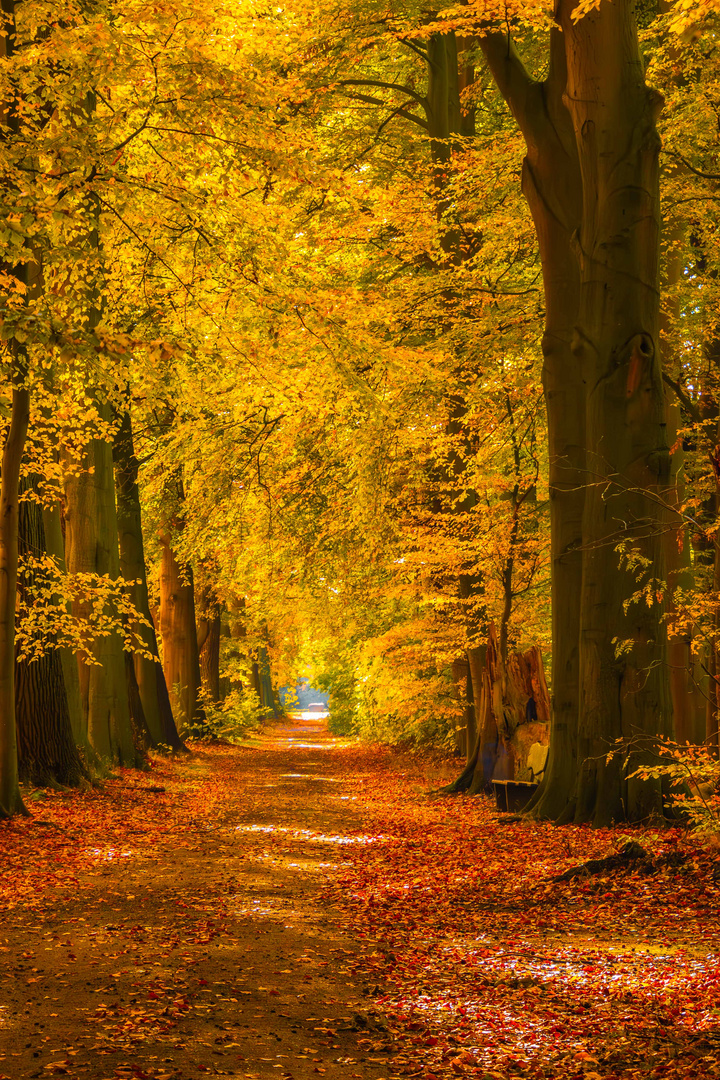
(218, 957)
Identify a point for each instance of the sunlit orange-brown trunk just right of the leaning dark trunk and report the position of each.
(178, 629)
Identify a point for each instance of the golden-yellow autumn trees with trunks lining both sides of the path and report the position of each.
(378, 342)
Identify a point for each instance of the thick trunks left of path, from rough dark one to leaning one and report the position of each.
(71, 712)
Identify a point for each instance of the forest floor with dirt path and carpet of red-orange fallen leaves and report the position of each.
(301, 907)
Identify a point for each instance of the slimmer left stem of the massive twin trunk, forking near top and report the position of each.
(552, 185)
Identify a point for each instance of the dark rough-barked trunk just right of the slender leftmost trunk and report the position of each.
(46, 746)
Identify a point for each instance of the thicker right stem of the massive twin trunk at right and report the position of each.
(617, 345)
